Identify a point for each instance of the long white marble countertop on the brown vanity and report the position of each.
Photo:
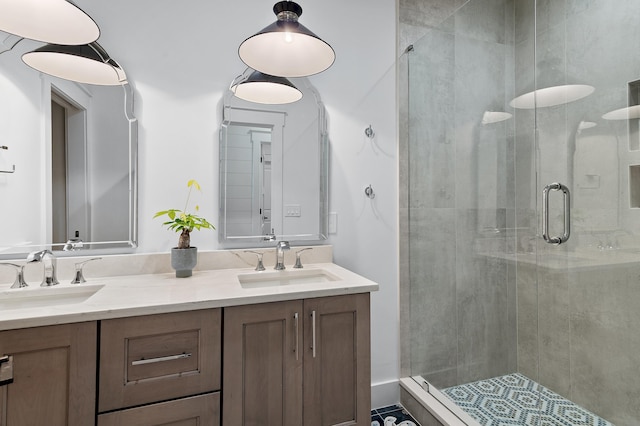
(132, 295)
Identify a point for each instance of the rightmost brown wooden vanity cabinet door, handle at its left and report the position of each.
(337, 361)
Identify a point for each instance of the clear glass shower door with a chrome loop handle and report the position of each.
(587, 140)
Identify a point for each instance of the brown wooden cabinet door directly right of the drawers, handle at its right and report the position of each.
(262, 377)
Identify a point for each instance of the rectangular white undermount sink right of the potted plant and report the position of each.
(286, 277)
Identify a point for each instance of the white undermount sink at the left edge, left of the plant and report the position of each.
(36, 297)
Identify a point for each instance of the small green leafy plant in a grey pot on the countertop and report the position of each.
(184, 257)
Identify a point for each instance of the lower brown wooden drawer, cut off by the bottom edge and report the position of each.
(202, 410)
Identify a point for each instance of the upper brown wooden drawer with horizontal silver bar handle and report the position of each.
(158, 357)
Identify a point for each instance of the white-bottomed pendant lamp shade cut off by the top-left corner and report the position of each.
(49, 21)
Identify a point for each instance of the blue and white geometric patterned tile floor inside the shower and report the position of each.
(515, 400)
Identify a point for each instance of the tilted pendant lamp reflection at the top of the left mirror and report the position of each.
(87, 63)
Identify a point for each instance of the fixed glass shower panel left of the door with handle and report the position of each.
(464, 234)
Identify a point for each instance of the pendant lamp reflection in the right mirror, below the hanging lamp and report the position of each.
(266, 89)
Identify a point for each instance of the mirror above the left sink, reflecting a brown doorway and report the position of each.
(68, 161)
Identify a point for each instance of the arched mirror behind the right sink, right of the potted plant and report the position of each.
(274, 168)
